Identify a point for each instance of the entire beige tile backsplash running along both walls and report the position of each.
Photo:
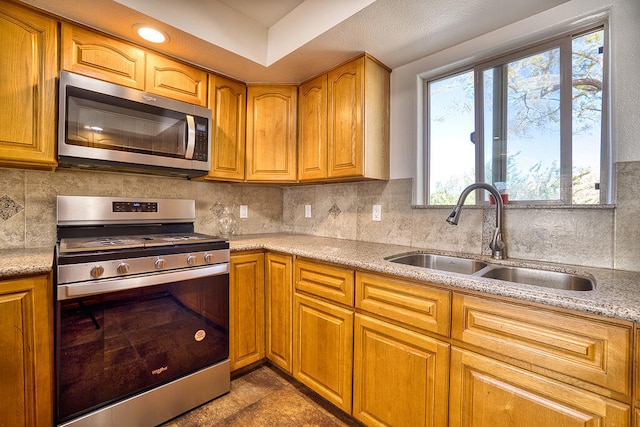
(594, 236)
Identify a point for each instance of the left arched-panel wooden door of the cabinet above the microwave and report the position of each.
(94, 55)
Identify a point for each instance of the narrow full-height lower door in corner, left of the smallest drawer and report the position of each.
(279, 308)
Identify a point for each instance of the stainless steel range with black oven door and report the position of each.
(142, 311)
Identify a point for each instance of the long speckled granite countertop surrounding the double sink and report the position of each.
(616, 294)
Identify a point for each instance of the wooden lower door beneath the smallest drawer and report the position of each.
(323, 349)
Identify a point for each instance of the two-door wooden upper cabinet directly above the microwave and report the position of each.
(102, 57)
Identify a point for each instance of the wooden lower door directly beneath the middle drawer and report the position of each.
(400, 377)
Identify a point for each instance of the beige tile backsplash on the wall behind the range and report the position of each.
(28, 201)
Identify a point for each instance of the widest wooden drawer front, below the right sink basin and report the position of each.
(589, 350)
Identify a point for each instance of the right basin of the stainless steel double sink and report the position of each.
(549, 279)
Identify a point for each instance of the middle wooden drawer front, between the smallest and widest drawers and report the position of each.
(411, 303)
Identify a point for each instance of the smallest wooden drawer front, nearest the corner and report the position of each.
(324, 280)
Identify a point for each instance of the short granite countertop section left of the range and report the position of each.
(25, 262)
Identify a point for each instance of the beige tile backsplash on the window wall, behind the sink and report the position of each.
(593, 236)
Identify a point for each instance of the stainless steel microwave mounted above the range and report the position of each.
(107, 126)
